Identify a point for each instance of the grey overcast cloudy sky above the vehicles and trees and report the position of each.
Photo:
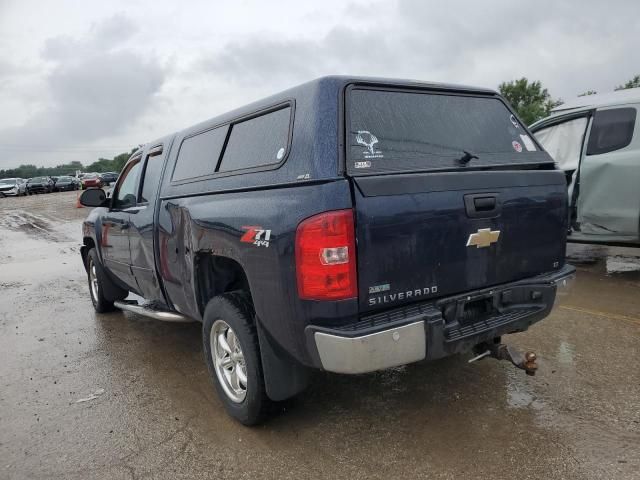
(84, 79)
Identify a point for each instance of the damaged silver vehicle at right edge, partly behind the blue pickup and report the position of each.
(594, 139)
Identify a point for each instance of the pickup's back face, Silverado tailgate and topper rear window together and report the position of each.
(451, 194)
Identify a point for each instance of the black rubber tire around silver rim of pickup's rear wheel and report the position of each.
(235, 309)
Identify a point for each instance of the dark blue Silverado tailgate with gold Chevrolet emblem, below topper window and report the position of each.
(423, 236)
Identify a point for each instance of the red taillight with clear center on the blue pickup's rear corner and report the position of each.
(326, 257)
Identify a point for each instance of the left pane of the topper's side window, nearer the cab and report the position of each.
(199, 154)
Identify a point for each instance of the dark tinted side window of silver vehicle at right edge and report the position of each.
(611, 130)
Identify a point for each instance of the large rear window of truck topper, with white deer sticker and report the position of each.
(404, 131)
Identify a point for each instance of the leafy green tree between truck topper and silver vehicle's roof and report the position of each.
(529, 99)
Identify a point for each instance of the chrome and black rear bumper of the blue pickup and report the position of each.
(424, 333)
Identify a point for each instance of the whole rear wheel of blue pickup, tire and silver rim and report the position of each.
(232, 354)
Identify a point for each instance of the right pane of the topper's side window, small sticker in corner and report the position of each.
(258, 141)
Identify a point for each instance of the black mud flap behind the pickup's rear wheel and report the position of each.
(283, 377)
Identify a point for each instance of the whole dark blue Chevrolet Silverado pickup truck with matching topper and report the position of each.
(347, 224)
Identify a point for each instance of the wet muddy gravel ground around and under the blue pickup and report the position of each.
(115, 396)
